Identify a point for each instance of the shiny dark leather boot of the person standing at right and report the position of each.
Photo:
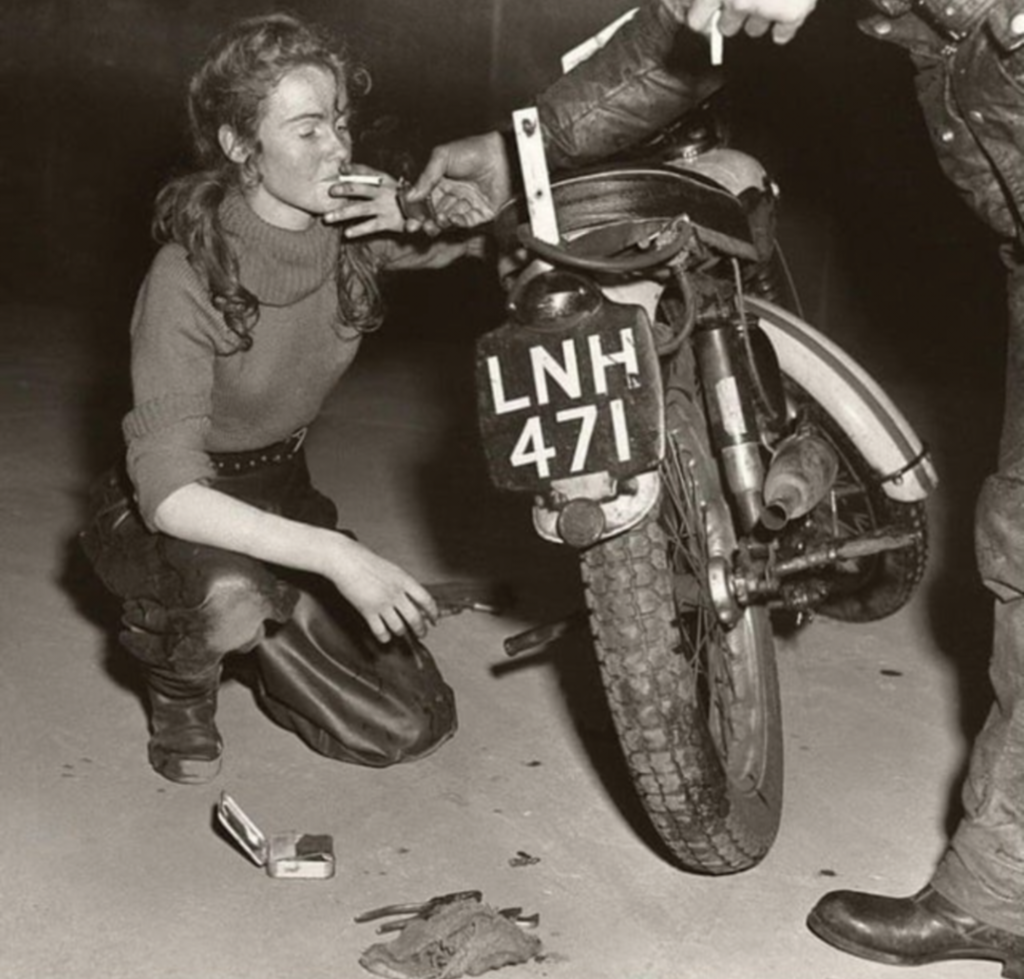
(913, 931)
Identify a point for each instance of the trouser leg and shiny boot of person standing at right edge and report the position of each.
(974, 906)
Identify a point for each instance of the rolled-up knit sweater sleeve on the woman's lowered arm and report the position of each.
(174, 352)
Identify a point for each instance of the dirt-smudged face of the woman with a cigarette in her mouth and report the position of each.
(303, 145)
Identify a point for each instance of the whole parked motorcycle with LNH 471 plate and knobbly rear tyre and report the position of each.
(719, 464)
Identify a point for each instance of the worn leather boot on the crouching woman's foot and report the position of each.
(186, 745)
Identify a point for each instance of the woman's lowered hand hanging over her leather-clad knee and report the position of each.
(392, 602)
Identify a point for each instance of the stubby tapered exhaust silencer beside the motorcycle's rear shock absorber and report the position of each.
(802, 473)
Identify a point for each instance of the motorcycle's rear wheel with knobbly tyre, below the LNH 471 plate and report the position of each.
(696, 703)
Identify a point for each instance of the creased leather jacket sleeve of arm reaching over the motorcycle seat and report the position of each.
(652, 71)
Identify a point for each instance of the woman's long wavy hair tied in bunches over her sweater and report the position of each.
(240, 72)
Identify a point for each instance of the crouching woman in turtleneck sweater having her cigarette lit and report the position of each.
(211, 532)
